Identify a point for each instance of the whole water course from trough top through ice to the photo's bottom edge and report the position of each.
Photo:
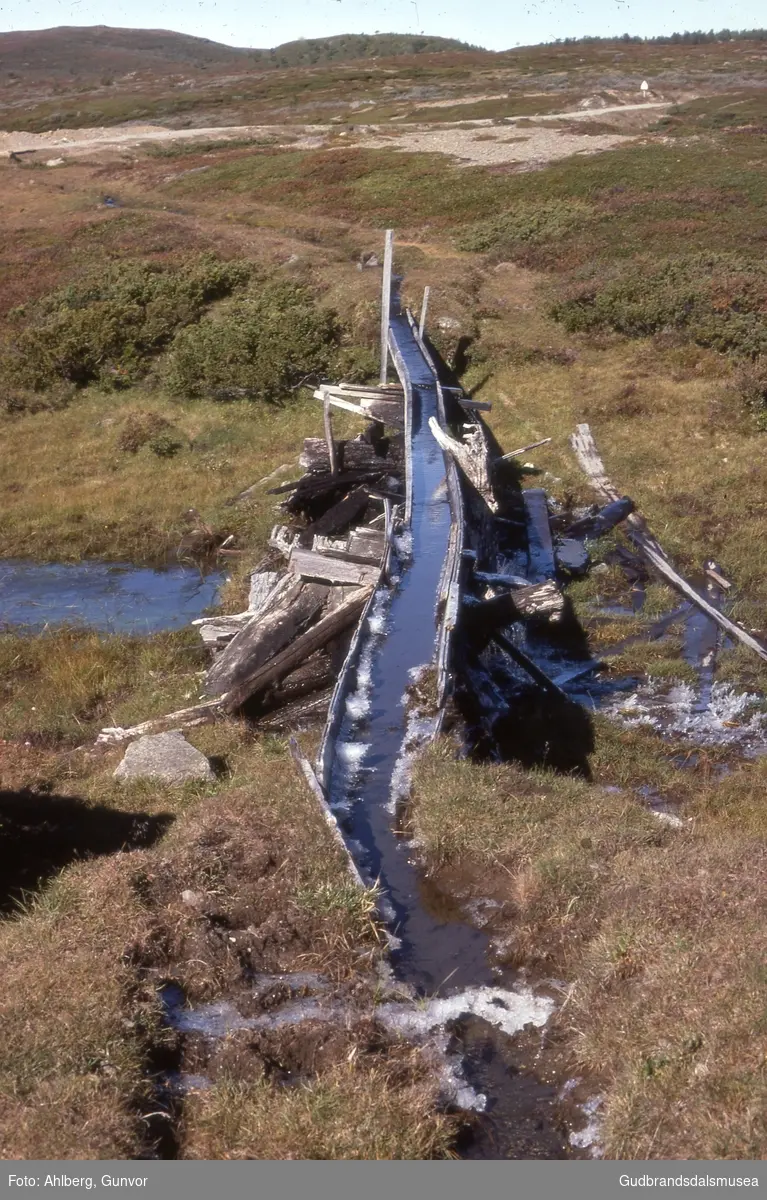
(433, 949)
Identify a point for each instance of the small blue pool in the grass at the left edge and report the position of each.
(116, 598)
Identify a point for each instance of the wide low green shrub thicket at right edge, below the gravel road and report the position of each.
(720, 301)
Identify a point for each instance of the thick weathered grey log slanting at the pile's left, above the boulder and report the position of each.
(266, 637)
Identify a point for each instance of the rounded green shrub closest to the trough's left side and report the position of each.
(265, 344)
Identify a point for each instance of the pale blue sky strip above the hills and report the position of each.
(496, 25)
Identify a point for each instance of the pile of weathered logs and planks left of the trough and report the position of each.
(279, 661)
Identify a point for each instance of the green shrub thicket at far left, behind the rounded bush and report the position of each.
(110, 325)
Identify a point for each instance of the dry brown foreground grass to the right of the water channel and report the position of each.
(658, 932)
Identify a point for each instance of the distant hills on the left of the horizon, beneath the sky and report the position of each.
(87, 51)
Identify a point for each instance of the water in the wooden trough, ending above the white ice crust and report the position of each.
(433, 950)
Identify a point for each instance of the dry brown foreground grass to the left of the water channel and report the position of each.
(85, 956)
